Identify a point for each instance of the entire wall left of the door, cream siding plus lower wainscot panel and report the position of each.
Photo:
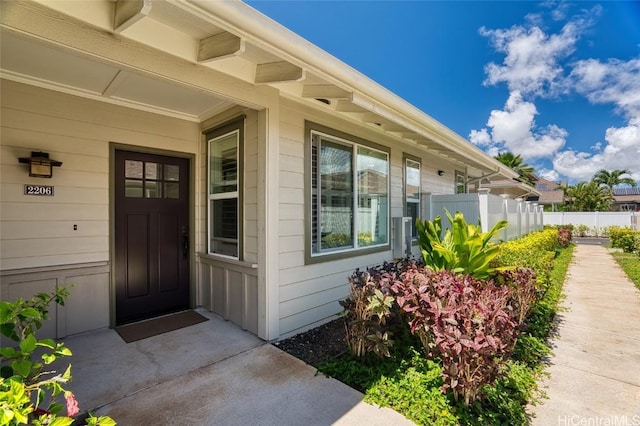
(38, 246)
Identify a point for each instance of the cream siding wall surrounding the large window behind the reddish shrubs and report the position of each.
(309, 294)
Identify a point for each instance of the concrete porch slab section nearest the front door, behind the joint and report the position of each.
(105, 368)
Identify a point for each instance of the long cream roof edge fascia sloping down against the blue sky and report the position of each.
(266, 33)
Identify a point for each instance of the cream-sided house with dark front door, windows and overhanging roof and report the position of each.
(210, 157)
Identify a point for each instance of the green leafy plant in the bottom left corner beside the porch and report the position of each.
(26, 386)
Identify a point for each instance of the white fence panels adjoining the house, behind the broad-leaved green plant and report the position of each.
(524, 217)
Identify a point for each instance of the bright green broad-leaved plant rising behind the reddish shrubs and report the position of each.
(462, 249)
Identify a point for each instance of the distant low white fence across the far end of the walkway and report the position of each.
(596, 222)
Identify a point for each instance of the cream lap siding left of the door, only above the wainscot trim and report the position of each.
(38, 231)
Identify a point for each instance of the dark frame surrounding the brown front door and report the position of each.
(113, 147)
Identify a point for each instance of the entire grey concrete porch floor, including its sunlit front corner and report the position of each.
(211, 373)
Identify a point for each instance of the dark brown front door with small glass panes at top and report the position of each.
(151, 235)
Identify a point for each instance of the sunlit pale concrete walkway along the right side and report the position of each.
(595, 370)
